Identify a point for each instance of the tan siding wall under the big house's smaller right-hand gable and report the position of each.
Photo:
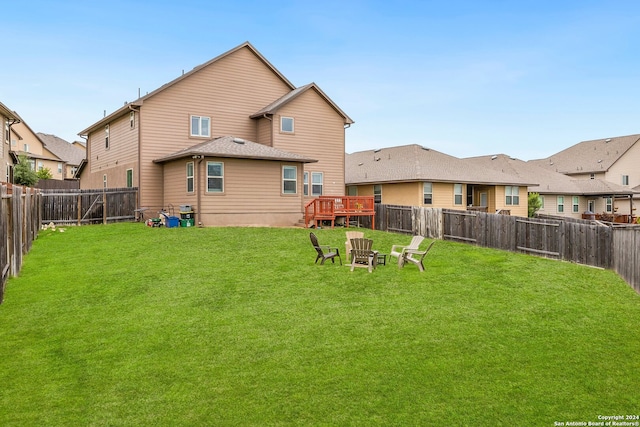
(319, 134)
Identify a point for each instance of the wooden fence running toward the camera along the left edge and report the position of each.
(20, 218)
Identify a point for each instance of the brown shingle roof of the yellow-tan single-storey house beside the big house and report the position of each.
(417, 163)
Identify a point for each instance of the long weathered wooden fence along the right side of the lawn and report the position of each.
(586, 242)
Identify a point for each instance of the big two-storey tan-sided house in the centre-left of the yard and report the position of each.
(240, 95)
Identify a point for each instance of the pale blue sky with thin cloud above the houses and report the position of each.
(467, 78)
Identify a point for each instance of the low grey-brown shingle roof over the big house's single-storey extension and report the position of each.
(231, 147)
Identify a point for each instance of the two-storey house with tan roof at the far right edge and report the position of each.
(614, 160)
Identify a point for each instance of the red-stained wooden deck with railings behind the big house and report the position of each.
(329, 208)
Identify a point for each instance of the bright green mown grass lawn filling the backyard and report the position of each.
(130, 325)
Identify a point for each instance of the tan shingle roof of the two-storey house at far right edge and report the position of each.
(593, 156)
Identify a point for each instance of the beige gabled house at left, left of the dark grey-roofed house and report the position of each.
(24, 141)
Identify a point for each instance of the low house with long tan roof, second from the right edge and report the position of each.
(562, 195)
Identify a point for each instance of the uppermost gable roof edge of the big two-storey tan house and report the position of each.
(127, 107)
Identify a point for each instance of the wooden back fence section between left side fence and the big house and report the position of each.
(89, 206)
